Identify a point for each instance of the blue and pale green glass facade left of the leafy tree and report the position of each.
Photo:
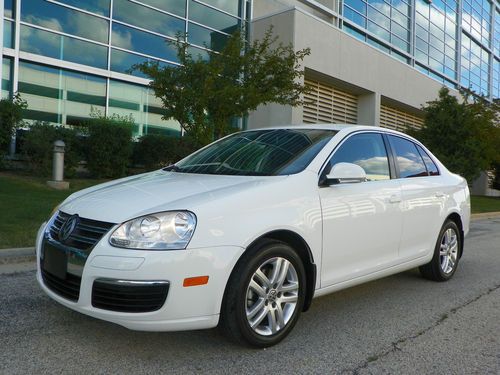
(68, 58)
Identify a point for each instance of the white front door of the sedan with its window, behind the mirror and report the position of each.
(361, 221)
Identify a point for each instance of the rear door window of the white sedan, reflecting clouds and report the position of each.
(408, 159)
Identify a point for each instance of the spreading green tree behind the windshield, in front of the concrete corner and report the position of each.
(205, 95)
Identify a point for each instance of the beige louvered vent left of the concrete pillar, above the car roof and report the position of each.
(327, 104)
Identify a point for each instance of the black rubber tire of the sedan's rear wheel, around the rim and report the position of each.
(434, 269)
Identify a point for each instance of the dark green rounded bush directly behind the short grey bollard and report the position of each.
(38, 145)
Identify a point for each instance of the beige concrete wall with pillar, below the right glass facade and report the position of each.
(353, 65)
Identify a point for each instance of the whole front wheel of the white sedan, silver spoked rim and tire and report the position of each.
(265, 295)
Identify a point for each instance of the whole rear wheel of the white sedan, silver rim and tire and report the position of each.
(444, 263)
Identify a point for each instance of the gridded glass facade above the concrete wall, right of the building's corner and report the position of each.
(456, 42)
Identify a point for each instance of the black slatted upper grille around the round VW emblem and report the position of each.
(86, 233)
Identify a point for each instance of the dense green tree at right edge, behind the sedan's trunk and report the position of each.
(463, 134)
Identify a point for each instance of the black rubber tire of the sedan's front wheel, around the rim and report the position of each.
(234, 322)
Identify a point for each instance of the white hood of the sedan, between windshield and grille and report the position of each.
(121, 200)
